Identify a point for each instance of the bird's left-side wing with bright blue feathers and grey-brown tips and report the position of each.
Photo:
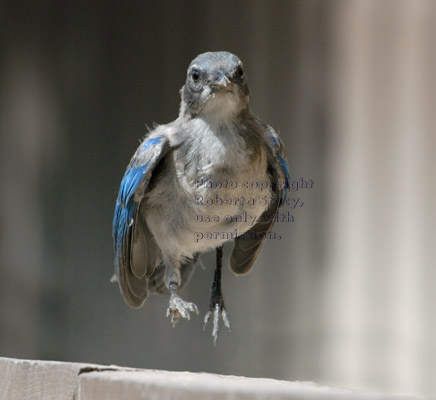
(136, 253)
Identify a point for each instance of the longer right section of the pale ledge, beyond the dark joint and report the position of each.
(149, 384)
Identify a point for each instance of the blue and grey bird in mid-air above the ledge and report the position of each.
(194, 184)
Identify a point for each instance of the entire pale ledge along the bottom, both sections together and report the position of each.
(48, 380)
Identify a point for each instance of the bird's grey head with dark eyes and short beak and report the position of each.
(215, 86)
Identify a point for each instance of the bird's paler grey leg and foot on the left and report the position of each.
(177, 307)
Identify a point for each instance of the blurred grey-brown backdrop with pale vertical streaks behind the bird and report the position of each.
(346, 297)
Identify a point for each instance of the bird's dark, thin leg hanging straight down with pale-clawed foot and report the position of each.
(216, 305)
